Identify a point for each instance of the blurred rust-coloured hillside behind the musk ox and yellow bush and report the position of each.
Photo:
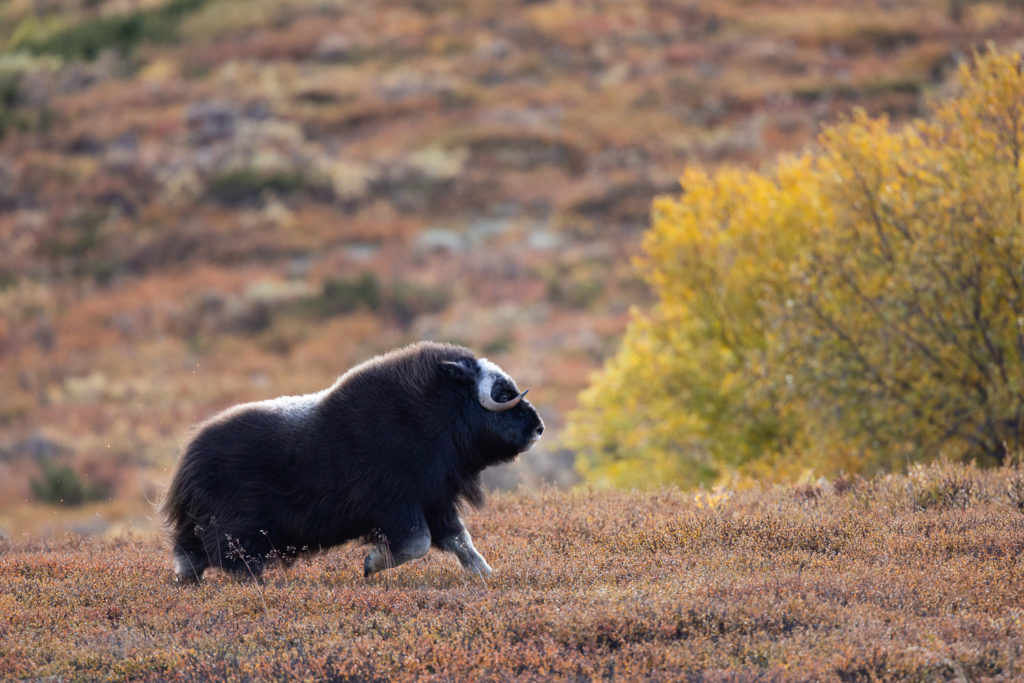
(205, 202)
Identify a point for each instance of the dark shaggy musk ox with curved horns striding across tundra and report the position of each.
(387, 455)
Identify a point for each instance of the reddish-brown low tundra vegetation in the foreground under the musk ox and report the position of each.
(914, 577)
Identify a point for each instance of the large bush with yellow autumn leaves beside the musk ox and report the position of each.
(854, 309)
